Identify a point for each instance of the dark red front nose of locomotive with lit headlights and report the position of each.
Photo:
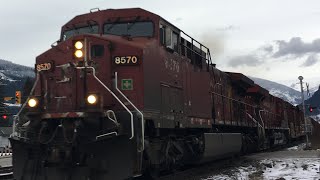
(63, 86)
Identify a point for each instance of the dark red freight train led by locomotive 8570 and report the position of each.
(123, 92)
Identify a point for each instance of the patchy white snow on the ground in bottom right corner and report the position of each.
(274, 169)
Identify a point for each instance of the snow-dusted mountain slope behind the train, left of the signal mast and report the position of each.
(279, 90)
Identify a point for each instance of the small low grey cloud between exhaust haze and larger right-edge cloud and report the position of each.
(248, 60)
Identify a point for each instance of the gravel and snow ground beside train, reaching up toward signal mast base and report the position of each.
(291, 164)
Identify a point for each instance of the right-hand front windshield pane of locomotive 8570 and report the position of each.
(133, 29)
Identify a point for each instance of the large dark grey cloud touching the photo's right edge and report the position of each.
(296, 47)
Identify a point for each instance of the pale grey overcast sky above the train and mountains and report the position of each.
(271, 39)
